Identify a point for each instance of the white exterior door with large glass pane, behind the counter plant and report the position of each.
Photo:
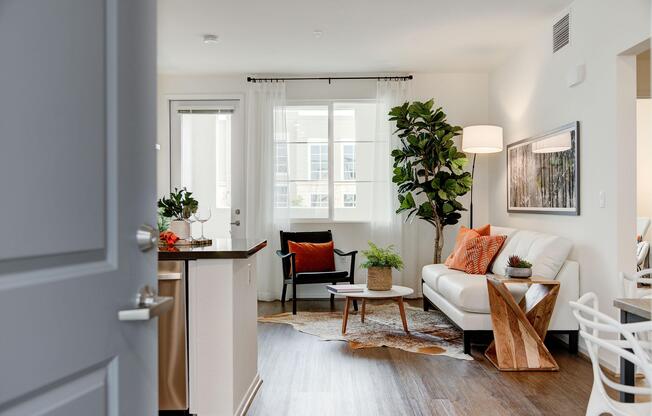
(207, 158)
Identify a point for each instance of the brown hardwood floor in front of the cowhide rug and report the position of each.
(303, 375)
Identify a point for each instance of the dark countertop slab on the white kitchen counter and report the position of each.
(222, 248)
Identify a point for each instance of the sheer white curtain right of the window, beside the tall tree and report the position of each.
(387, 227)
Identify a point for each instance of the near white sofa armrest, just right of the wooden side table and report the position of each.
(569, 290)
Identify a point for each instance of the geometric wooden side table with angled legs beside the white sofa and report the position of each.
(519, 329)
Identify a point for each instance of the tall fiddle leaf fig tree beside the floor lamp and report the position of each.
(428, 168)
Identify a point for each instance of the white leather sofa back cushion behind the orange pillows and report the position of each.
(546, 252)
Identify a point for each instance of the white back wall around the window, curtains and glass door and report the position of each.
(463, 97)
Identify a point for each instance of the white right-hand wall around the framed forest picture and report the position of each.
(528, 95)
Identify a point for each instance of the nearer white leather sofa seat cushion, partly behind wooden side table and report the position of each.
(469, 291)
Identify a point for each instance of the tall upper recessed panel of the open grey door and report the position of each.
(42, 122)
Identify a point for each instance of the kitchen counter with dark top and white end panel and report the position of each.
(218, 292)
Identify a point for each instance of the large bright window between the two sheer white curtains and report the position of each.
(326, 155)
